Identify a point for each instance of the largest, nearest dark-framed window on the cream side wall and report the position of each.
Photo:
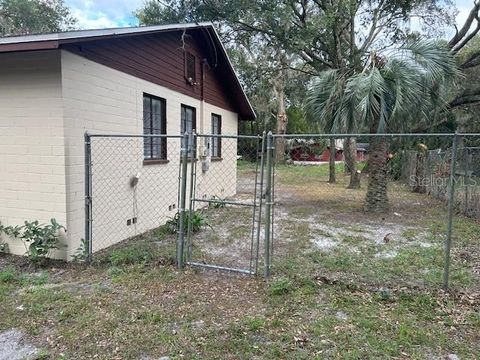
(154, 123)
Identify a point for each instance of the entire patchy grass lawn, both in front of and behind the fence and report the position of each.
(345, 285)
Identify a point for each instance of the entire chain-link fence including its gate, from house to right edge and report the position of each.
(341, 202)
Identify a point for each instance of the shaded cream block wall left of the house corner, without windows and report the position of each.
(32, 162)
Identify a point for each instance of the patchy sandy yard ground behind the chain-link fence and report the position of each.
(314, 217)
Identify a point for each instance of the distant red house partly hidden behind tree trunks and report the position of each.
(311, 150)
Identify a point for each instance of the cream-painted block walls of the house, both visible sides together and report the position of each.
(48, 99)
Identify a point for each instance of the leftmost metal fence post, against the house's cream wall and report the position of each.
(88, 197)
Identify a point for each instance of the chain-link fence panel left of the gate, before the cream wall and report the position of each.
(131, 189)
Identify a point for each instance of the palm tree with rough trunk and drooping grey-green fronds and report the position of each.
(395, 90)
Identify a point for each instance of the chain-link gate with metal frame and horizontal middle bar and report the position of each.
(224, 194)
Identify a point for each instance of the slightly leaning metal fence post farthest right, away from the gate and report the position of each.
(451, 194)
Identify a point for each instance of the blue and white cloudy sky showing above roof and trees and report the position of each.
(111, 13)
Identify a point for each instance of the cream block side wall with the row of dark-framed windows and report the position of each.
(103, 100)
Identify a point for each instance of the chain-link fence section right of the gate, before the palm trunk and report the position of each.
(342, 208)
